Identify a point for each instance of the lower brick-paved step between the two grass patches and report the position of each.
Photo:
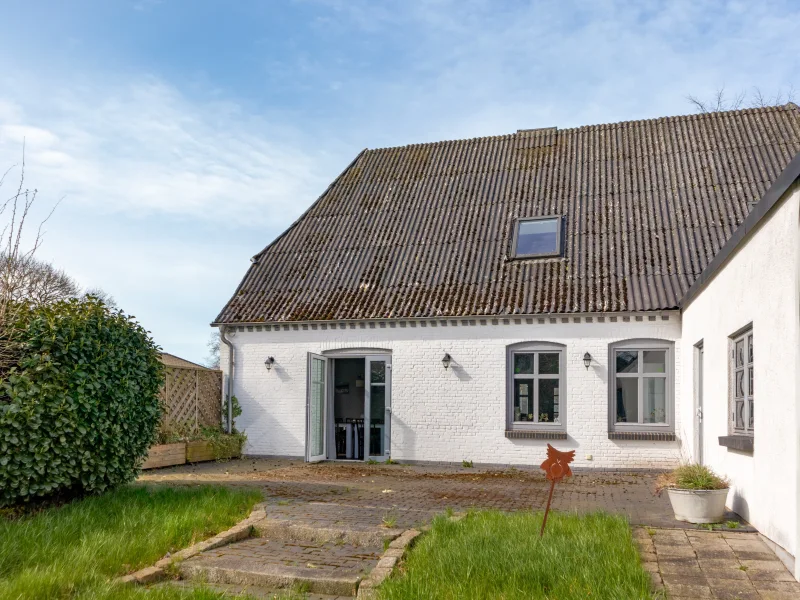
(333, 568)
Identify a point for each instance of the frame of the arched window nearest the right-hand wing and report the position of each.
(641, 345)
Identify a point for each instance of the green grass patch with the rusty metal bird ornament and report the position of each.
(498, 555)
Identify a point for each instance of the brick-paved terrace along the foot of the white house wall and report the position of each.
(358, 494)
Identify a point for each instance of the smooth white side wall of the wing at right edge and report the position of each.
(758, 284)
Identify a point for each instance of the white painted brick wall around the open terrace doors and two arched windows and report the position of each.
(455, 414)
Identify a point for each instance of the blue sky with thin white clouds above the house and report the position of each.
(185, 135)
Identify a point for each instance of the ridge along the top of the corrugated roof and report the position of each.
(596, 126)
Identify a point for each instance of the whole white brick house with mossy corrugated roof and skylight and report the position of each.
(477, 299)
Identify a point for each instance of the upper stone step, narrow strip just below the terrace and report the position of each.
(285, 529)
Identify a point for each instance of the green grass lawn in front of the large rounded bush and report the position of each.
(74, 550)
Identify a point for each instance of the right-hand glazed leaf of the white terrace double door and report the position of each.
(378, 406)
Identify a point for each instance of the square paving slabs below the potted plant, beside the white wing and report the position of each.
(727, 565)
